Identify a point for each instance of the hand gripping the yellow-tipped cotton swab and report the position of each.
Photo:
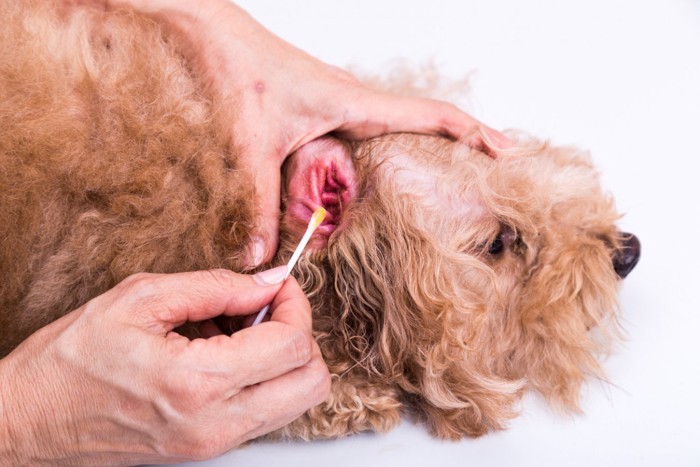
(110, 383)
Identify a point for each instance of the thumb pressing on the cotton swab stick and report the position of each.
(163, 302)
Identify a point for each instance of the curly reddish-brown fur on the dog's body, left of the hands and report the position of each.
(109, 163)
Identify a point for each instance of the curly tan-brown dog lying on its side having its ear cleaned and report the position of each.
(444, 282)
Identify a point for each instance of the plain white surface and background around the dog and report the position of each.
(620, 78)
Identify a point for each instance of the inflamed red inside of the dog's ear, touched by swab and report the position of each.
(319, 174)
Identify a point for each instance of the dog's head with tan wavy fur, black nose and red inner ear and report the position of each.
(461, 277)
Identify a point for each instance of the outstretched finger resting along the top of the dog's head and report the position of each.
(391, 113)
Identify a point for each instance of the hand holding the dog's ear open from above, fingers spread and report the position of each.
(276, 98)
